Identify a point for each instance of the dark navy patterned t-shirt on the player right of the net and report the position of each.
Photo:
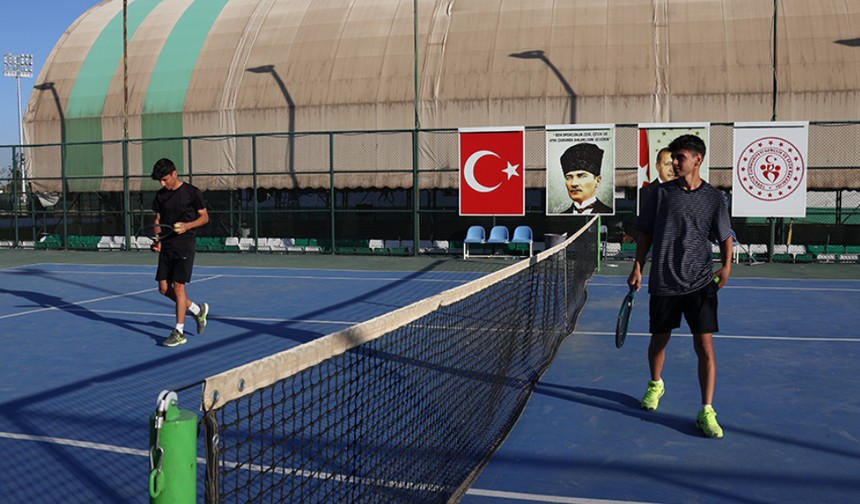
(684, 224)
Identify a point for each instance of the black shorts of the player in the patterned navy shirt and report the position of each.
(699, 309)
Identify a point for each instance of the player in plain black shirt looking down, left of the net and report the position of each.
(180, 205)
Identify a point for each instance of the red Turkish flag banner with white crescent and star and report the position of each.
(492, 171)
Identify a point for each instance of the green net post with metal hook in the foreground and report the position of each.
(172, 452)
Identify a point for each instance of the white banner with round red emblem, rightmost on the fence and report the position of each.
(770, 172)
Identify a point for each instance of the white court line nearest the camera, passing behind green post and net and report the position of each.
(201, 460)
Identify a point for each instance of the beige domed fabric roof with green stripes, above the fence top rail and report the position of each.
(220, 67)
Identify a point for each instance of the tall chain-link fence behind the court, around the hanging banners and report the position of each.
(375, 192)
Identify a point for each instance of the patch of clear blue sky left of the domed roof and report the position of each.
(30, 27)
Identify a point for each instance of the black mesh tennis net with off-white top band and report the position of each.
(407, 407)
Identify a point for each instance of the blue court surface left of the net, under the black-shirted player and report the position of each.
(83, 365)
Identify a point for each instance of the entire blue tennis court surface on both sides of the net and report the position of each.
(83, 366)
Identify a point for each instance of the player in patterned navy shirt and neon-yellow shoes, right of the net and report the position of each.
(681, 218)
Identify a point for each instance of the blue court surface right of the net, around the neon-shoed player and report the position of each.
(787, 398)
